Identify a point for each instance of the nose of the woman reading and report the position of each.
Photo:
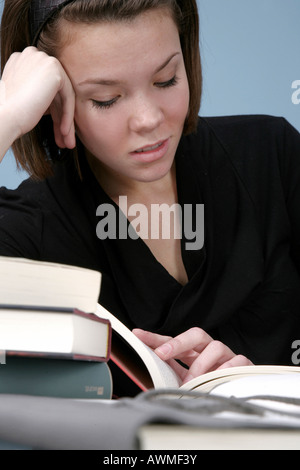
(146, 114)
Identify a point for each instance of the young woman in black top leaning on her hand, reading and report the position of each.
(99, 100)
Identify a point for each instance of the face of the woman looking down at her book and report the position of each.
(132, 94)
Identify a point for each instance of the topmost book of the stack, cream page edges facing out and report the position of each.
(53, 285)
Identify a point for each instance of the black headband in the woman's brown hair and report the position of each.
(40, 12)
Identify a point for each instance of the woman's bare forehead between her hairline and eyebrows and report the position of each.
(118, 47)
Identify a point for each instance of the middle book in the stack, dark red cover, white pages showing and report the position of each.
(59, 332)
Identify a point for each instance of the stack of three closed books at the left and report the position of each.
(51, 342)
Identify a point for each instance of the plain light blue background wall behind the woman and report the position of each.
(250, 56)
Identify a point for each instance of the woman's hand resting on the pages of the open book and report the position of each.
(195, 348)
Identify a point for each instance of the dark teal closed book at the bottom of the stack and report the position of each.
(55, 378)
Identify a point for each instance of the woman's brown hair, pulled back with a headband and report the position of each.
(36, 150)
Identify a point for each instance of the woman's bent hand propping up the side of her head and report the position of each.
(34, 84)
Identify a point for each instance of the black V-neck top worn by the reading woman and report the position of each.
(244, 285)
